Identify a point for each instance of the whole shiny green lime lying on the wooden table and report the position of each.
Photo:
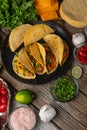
(24, 96)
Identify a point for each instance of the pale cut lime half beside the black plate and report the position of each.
(76, 72)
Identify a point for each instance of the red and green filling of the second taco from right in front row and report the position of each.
(50, 58)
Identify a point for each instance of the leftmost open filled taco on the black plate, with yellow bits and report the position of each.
(22, 65)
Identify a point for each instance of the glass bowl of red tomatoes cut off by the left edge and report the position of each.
(5, 97)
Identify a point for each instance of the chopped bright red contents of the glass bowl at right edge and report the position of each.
(82, 54)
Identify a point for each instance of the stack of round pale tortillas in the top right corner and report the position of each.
(74, 12)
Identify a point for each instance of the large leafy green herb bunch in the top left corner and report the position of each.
(16, 12)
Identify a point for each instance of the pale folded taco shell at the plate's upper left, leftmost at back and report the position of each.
(17, 35)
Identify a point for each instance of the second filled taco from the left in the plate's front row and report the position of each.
(36, 53)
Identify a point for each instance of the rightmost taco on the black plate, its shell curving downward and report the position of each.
(59, 45)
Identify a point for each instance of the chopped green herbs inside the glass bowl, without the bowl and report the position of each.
(65, 89)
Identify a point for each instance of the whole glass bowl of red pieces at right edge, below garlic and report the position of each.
(80, 54)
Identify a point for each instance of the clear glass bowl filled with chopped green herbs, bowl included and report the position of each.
(64, 89)
